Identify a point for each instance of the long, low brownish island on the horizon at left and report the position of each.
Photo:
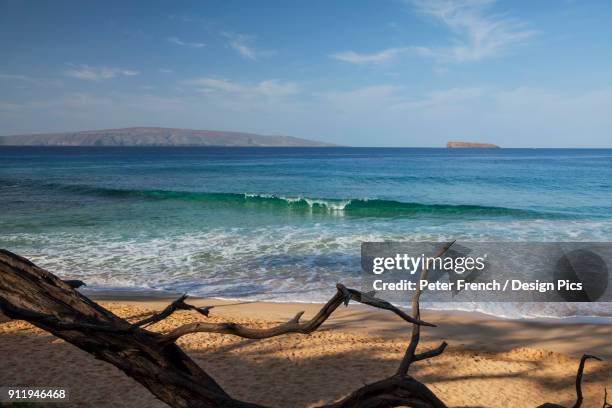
(156, 136)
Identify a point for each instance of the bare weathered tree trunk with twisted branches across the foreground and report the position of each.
(30, 293)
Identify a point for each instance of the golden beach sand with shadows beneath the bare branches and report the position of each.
(489, 362)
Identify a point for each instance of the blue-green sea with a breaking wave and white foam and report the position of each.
(283, 223)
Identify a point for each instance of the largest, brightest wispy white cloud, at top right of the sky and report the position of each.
(478, 34)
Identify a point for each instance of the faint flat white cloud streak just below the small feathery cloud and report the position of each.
(267, 88)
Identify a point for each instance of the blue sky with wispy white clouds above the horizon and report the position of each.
(360, 73)
